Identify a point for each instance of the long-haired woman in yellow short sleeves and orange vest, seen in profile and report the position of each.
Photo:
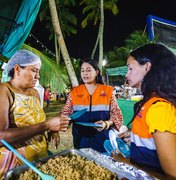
(151, 68)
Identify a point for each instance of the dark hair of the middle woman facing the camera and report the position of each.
(94, 64)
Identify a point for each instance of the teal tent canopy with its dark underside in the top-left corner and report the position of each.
(16, 20)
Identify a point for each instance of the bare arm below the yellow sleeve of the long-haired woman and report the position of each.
(166, 149)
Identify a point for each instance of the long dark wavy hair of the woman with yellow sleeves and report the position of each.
(161, 79)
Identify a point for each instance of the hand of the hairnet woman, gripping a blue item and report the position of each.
(58, 123)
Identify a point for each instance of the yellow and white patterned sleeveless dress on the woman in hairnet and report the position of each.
(25, 111)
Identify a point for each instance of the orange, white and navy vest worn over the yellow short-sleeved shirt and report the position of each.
(143, 149)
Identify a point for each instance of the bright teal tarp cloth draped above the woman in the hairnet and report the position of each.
(24, 21)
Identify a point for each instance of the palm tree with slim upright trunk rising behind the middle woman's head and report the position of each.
(95, 11)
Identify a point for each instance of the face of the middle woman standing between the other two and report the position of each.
(88, 73)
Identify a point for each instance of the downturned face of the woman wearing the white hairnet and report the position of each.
(29, 75)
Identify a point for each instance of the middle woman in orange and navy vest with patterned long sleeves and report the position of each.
(101, 104)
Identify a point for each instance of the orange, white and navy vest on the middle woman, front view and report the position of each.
(98, 108)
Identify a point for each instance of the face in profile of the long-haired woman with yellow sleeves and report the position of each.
(136, 72)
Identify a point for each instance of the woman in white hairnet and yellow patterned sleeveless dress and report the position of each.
(22, 119)
